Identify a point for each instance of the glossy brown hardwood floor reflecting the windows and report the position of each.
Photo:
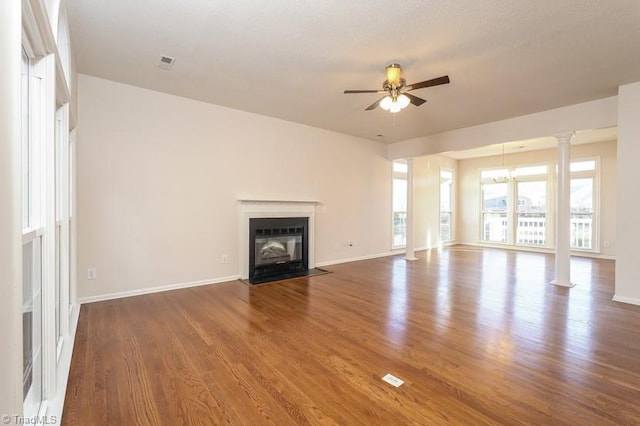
(478, 336)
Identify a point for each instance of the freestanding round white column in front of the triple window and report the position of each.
(563, 213)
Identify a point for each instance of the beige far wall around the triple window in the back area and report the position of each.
(469, 196)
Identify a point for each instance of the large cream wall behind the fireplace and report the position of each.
(159, 177)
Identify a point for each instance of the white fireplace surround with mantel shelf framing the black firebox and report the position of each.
(250, 209)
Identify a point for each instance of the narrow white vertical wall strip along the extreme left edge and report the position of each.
(10, 212)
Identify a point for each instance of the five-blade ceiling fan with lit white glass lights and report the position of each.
(396, 90)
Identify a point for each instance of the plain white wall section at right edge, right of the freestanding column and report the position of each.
(627, 269)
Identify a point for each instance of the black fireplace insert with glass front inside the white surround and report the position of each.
(278, 248)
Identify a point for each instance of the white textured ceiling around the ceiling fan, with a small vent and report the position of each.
(293, 59)
